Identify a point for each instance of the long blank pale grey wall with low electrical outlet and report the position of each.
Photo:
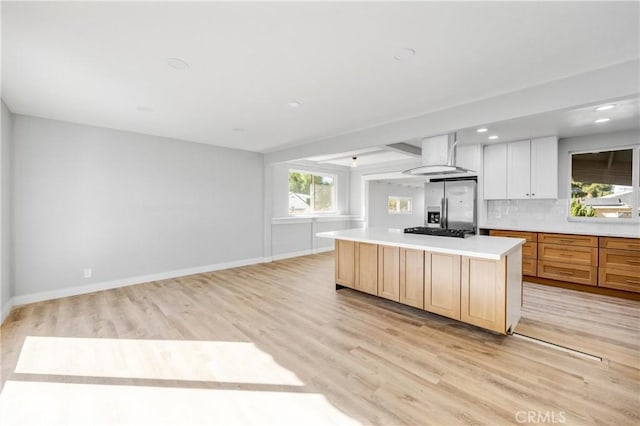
(127, 205)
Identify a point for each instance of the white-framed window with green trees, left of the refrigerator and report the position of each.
(311, 193)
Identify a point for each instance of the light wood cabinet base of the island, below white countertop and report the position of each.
(463, 288)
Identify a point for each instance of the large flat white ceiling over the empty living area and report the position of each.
(105, 64)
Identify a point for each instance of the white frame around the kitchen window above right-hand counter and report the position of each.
(635, 185)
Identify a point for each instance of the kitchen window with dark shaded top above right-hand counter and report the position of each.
(602, 184)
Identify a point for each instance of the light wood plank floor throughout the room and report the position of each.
(375, 362)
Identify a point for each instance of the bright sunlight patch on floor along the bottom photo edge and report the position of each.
(33, 403)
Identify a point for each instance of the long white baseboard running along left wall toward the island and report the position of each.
(124, 282)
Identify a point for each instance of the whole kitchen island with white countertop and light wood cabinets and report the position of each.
(476, 280)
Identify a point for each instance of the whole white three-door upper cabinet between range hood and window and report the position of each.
(521, 170)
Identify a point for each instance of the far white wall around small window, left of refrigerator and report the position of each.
(379, 217)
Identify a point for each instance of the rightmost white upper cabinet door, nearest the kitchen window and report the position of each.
(544, 167)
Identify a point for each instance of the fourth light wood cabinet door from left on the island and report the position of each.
(412, 277)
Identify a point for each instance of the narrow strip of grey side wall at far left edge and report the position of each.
(6, 228)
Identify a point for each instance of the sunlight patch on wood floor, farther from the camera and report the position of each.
(232, 362)
